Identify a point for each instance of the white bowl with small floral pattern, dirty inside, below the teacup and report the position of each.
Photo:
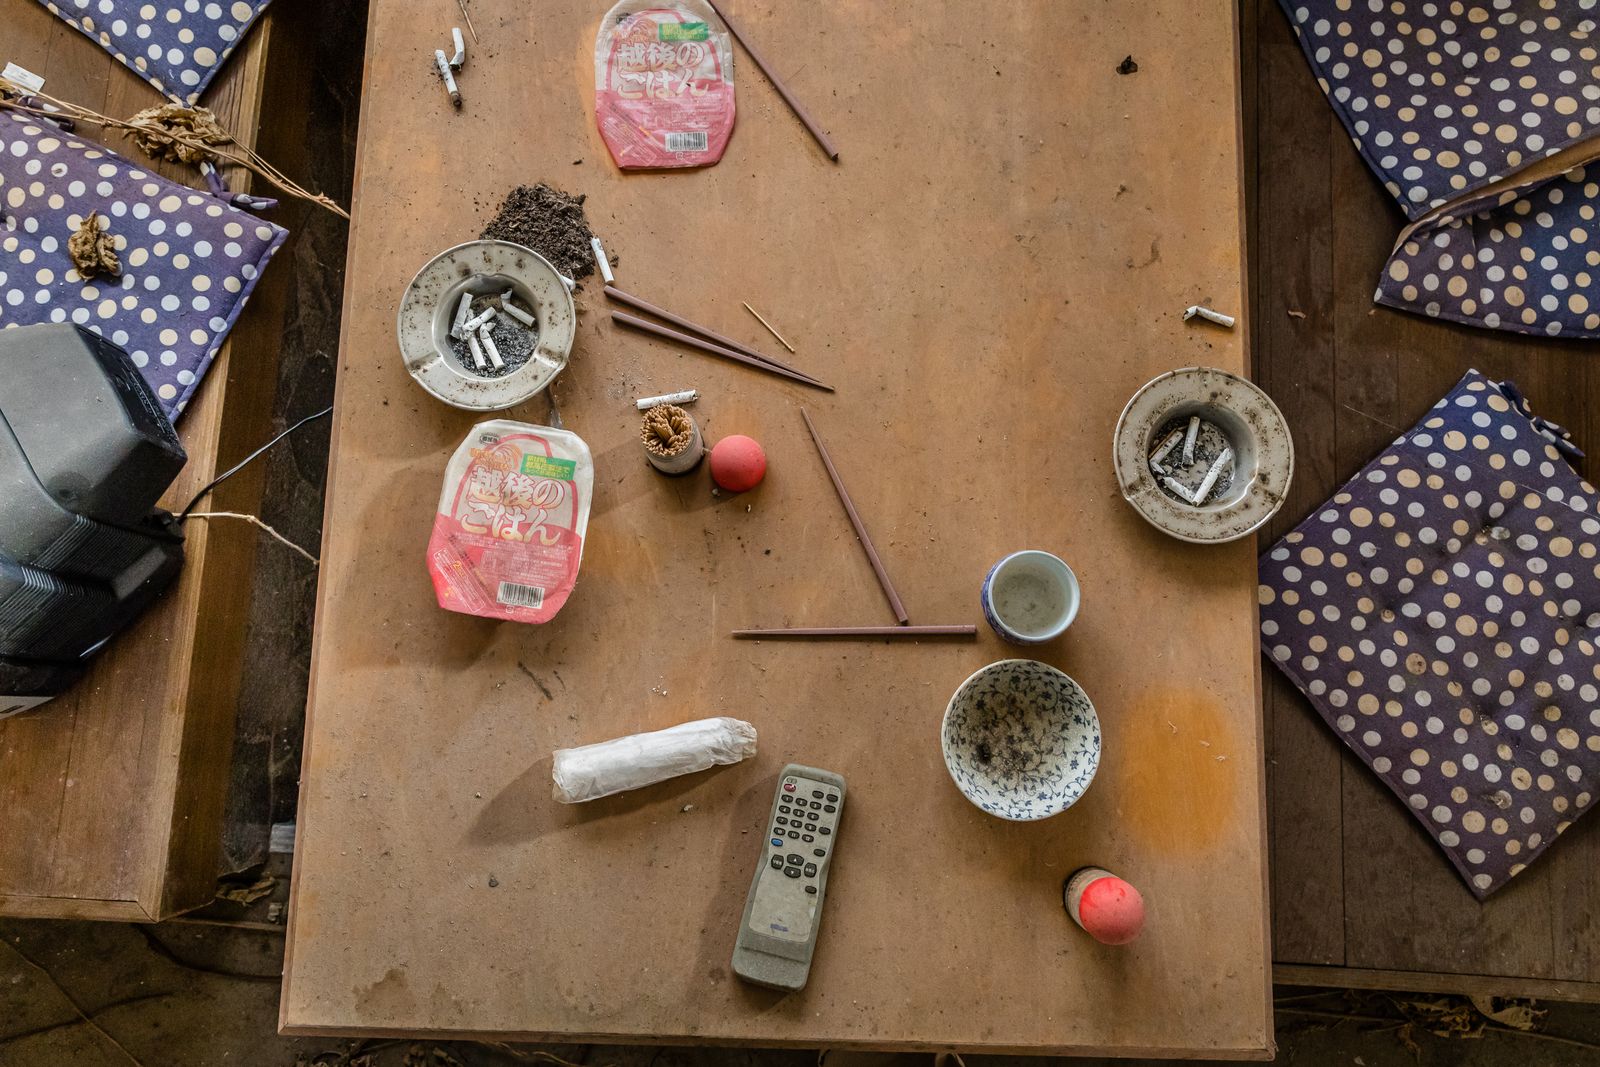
(1022, 740)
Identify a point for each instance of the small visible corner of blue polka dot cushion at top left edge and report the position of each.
(175, 46)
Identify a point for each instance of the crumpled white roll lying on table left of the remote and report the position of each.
(638, 761)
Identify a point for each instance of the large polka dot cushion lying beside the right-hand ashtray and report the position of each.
(1441, 613)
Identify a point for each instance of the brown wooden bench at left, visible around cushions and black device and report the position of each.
(113, 794)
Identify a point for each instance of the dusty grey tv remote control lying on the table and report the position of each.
(785, 909)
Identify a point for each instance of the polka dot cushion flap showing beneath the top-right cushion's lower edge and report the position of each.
(1513, 262)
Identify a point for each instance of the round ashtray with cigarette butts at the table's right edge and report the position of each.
(1204, 455)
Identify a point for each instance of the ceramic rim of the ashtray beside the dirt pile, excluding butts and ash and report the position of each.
(484, 270)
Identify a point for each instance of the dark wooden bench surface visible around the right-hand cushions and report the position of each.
(1356, 884)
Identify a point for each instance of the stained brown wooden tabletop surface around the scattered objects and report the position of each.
(998, 265)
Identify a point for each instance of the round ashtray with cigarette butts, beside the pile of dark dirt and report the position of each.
(487, 326)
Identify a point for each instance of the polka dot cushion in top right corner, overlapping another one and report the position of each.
(1447, 97)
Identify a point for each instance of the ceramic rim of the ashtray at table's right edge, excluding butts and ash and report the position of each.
(1255, 430)
